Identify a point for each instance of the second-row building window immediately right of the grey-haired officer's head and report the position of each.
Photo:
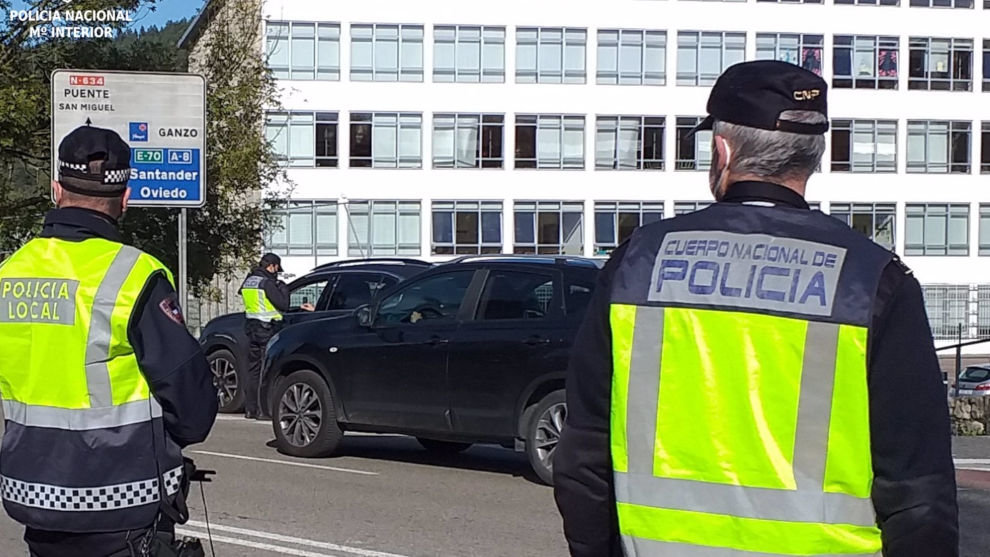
(864, 146)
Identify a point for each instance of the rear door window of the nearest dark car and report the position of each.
(515, 295)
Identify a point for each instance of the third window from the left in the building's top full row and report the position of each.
(468, 54)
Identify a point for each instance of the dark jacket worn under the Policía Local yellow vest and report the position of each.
(171, 360)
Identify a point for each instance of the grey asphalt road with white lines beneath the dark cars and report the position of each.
(386, 497)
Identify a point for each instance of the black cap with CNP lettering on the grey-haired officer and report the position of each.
(755, 94)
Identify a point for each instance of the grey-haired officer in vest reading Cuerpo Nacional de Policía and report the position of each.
(756, 378)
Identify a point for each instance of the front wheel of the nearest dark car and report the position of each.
(304, 417)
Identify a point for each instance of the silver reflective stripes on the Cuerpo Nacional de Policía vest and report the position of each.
(808, 503)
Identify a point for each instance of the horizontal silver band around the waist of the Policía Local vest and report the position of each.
(81, 419)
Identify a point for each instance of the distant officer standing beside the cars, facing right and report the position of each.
(266, 298)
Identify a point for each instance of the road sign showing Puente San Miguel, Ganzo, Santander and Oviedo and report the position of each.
(162, 116)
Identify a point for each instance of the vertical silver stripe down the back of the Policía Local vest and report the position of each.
(100, 329)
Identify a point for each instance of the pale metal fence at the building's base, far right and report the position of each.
(958, 307)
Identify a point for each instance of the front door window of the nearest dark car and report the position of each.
(432, 299)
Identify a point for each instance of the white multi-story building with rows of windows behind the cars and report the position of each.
(429, 129)
